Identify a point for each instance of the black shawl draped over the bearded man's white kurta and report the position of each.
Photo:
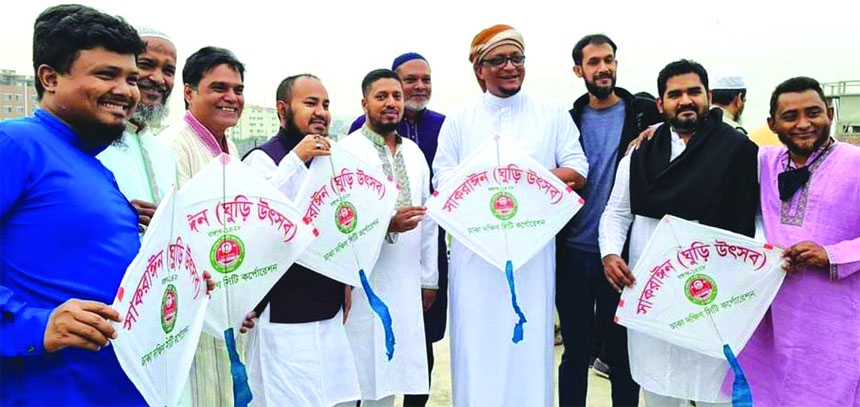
(714, 181)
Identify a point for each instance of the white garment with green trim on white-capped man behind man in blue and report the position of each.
(129, 167)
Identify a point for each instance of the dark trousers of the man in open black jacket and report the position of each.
(579, 284)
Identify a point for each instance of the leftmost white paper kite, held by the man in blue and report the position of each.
(162, 299)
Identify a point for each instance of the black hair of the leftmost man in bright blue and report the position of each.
(61, 32)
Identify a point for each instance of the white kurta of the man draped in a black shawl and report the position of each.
(677, 372)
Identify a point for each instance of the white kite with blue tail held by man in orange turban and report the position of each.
(504, 206)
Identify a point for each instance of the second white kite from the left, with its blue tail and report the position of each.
(249, 234)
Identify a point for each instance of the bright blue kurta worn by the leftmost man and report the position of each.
(66, 231)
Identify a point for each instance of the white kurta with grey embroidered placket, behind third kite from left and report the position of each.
(396, 279)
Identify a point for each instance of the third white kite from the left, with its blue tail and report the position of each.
(350, 203)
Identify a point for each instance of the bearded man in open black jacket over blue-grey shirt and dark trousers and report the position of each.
(608, 118)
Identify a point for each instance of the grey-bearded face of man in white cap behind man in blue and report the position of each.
(157, 67)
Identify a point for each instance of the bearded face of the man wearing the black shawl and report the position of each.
(685, 102)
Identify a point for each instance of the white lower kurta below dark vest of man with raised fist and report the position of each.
(307, 364)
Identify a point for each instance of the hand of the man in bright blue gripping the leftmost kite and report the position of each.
(80, 324)
